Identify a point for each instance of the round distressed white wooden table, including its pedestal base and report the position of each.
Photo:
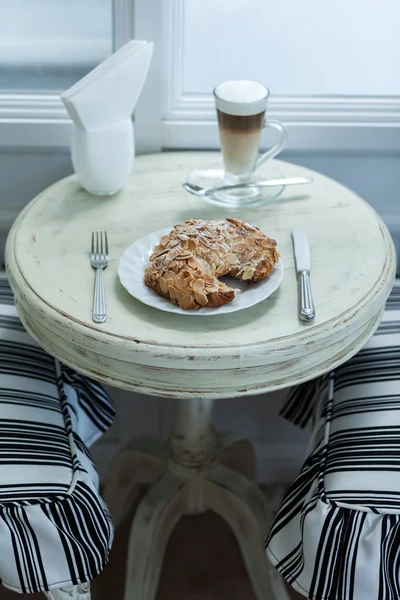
(195, 359)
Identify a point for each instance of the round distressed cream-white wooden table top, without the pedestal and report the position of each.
(260, 348)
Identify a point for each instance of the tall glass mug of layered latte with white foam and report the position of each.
(241, 107)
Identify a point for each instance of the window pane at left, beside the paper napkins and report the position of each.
(47, 45)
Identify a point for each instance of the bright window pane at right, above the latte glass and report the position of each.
(306, 47)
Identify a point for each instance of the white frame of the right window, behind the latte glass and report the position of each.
(315, 124)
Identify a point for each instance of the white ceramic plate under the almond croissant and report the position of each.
(135, 259)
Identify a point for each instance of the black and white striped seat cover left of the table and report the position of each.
(55, 529)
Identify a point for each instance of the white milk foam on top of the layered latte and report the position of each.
(241, 97)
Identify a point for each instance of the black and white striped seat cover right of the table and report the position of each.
(337, 533)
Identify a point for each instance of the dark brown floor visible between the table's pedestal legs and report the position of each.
(211, 568)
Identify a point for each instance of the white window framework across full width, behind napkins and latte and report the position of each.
(167, 118)
